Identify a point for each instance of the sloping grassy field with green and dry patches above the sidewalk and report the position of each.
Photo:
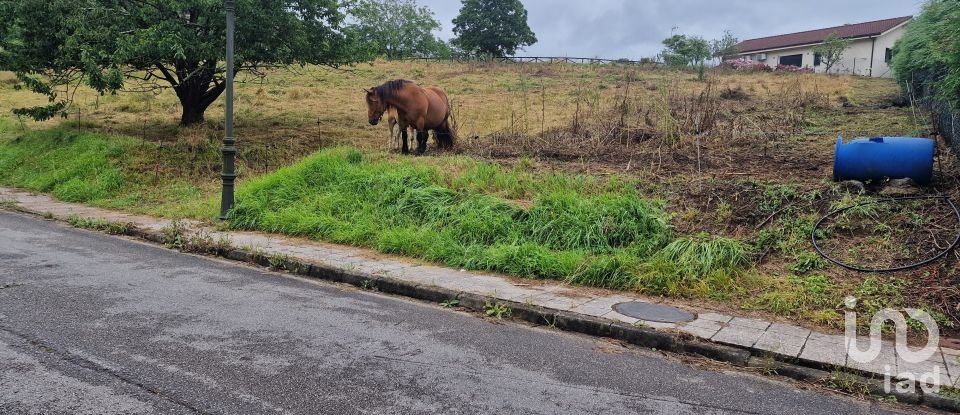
(639, 225)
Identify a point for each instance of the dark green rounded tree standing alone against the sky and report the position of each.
(492, 27)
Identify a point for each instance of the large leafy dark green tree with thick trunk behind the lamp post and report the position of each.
(56, 45)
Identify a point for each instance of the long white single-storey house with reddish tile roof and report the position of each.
(869, 54)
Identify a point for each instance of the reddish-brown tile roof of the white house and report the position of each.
(816, 36)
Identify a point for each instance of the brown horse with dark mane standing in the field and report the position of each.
(424, 109)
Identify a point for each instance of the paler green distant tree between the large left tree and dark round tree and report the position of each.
(398, 28)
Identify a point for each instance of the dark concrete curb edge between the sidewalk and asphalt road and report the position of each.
(665, 340)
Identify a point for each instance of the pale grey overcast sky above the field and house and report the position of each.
(634, 28)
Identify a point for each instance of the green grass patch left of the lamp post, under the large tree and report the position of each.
(105, 171)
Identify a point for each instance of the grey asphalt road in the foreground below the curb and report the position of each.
(101, 325)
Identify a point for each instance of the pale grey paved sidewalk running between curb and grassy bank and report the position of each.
(788, 342)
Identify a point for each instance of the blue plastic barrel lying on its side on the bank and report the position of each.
(884, 157)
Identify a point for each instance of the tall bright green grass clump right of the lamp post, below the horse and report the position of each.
(590, 237)
